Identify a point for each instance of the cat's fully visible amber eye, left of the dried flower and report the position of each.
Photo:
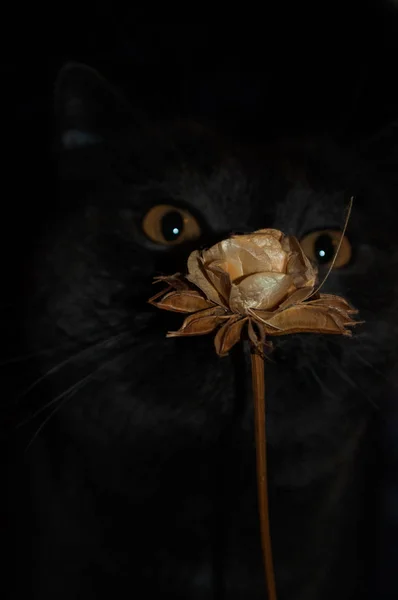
(169, 225)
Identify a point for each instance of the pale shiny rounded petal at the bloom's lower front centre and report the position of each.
(261, 291)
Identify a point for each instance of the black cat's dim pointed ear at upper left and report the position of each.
(88, 108)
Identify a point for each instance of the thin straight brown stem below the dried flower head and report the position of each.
(258, 380)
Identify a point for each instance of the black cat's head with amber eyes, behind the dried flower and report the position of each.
(134, 201)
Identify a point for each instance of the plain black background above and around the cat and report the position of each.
(329, 68)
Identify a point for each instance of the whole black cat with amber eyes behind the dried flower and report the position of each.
(144, 478)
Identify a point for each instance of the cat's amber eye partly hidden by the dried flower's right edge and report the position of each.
(321, 246)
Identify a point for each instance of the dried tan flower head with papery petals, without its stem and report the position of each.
(264, 280)
